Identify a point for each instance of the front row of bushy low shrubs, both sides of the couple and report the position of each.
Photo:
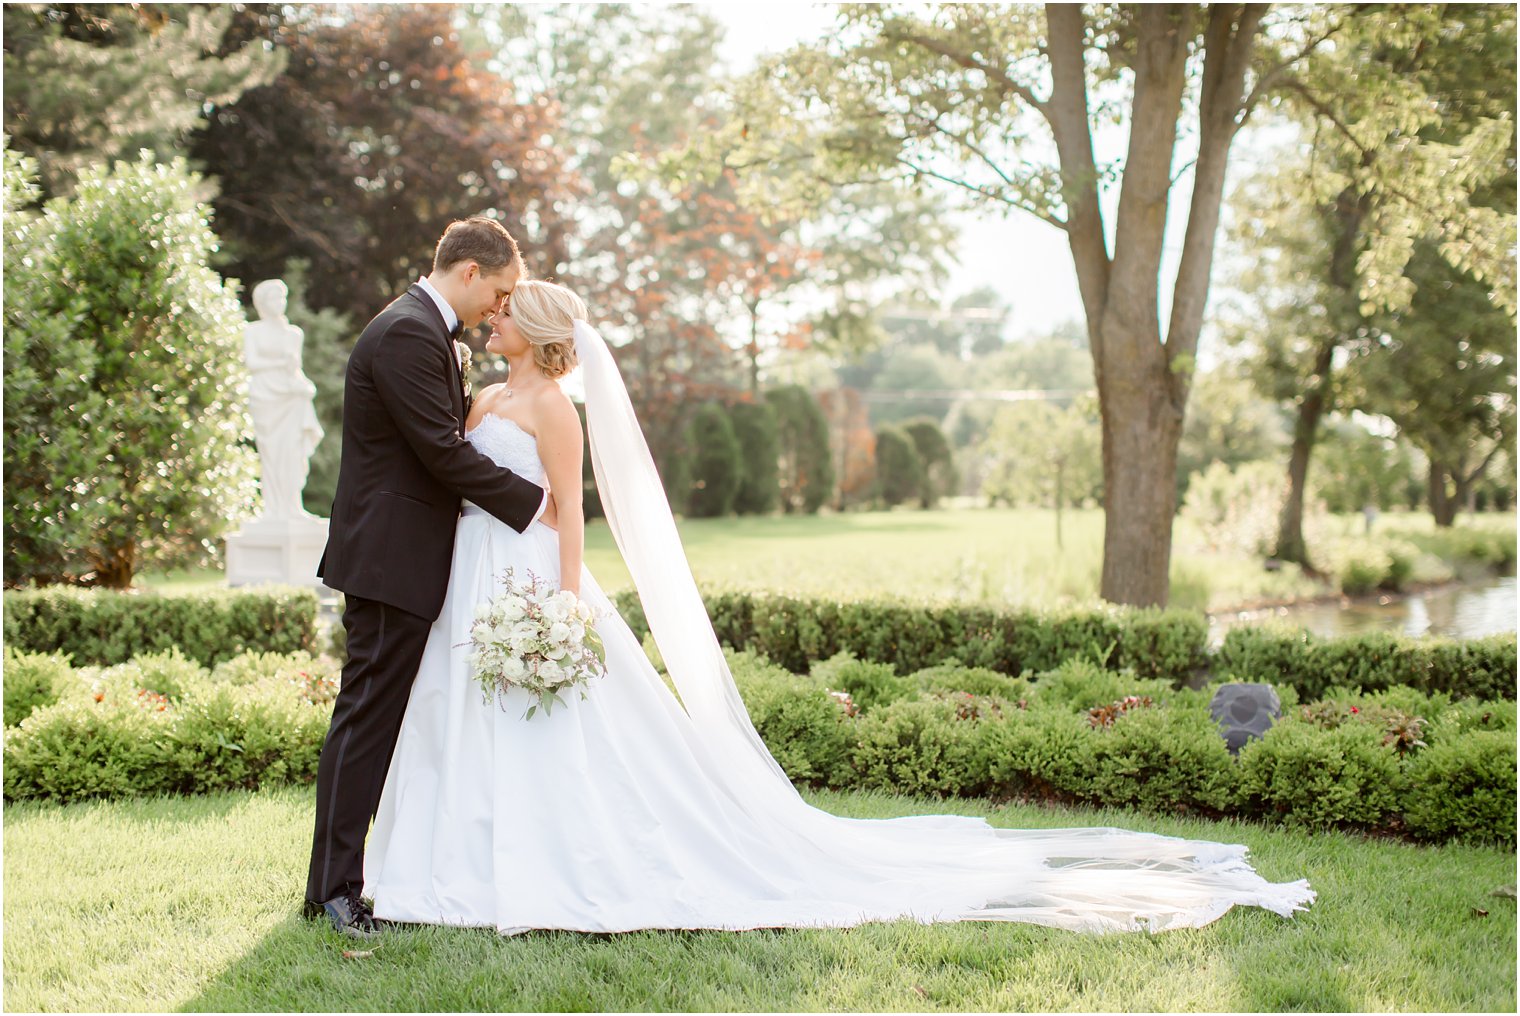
(1398, 761)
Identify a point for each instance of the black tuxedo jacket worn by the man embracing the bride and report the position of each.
(405, 465)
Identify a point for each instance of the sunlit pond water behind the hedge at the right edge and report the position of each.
(1463, 611)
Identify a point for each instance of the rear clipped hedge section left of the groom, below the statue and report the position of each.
(104, 627)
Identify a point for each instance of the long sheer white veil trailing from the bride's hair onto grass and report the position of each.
(929, 868)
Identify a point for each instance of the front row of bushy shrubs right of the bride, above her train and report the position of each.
(1396, 761)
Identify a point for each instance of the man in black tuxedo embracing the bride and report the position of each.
(405, 468)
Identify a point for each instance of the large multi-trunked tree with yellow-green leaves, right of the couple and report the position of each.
(951, 95)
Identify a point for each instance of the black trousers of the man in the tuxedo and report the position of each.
(385, 647)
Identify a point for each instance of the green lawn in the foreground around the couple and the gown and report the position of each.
(191, 904)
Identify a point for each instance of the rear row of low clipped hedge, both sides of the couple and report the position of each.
(98, 627)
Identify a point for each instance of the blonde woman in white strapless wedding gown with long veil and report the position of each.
(636, 810)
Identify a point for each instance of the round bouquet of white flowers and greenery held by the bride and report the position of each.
(533, 638)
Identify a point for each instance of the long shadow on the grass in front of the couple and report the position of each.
(302, 967)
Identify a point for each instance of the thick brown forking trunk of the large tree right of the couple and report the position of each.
(1144, 378)
